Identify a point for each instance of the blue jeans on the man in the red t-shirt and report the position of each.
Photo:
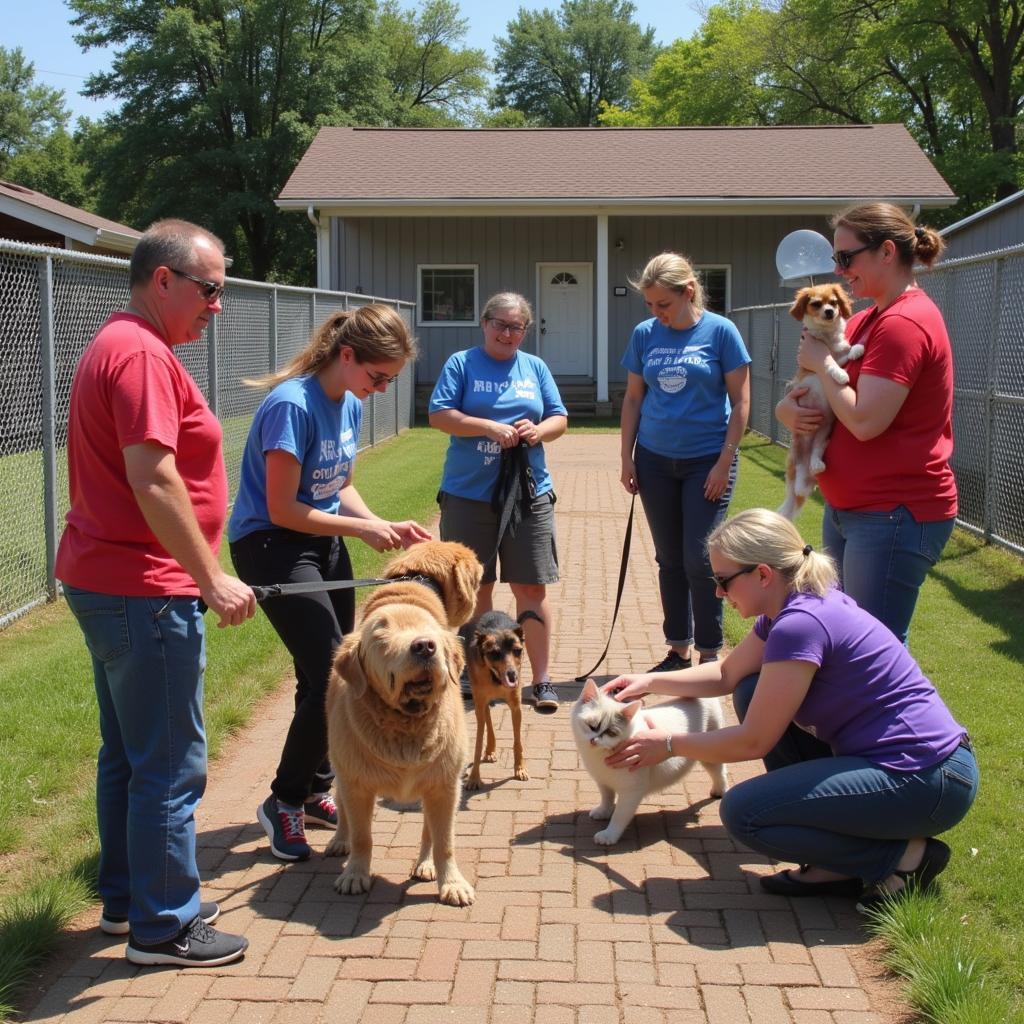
(149, 656)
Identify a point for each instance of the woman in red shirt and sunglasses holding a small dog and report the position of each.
(889, 490)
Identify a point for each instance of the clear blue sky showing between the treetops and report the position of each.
(44, 32)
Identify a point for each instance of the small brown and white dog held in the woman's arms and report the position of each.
(824, 310)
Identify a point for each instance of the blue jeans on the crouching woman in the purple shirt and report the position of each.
(843, 814)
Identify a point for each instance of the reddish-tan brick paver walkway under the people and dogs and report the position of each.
(669, 927)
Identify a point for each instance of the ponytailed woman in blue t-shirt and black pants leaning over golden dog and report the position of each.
(295, 504)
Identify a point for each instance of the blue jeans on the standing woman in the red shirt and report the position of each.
(883, 559)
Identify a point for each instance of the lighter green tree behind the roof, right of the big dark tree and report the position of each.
(434, 80)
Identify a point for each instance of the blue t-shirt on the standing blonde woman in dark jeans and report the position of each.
(687, 408)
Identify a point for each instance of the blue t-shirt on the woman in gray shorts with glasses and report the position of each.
(503, 391)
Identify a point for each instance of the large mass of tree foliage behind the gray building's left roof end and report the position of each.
(221, 99)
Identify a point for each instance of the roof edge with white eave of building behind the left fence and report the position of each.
(49, 219)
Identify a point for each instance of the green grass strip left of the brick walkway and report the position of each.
(51, 738)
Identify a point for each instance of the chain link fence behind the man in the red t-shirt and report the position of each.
(52, 305)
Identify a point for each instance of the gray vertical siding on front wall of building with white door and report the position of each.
(379, 257)
